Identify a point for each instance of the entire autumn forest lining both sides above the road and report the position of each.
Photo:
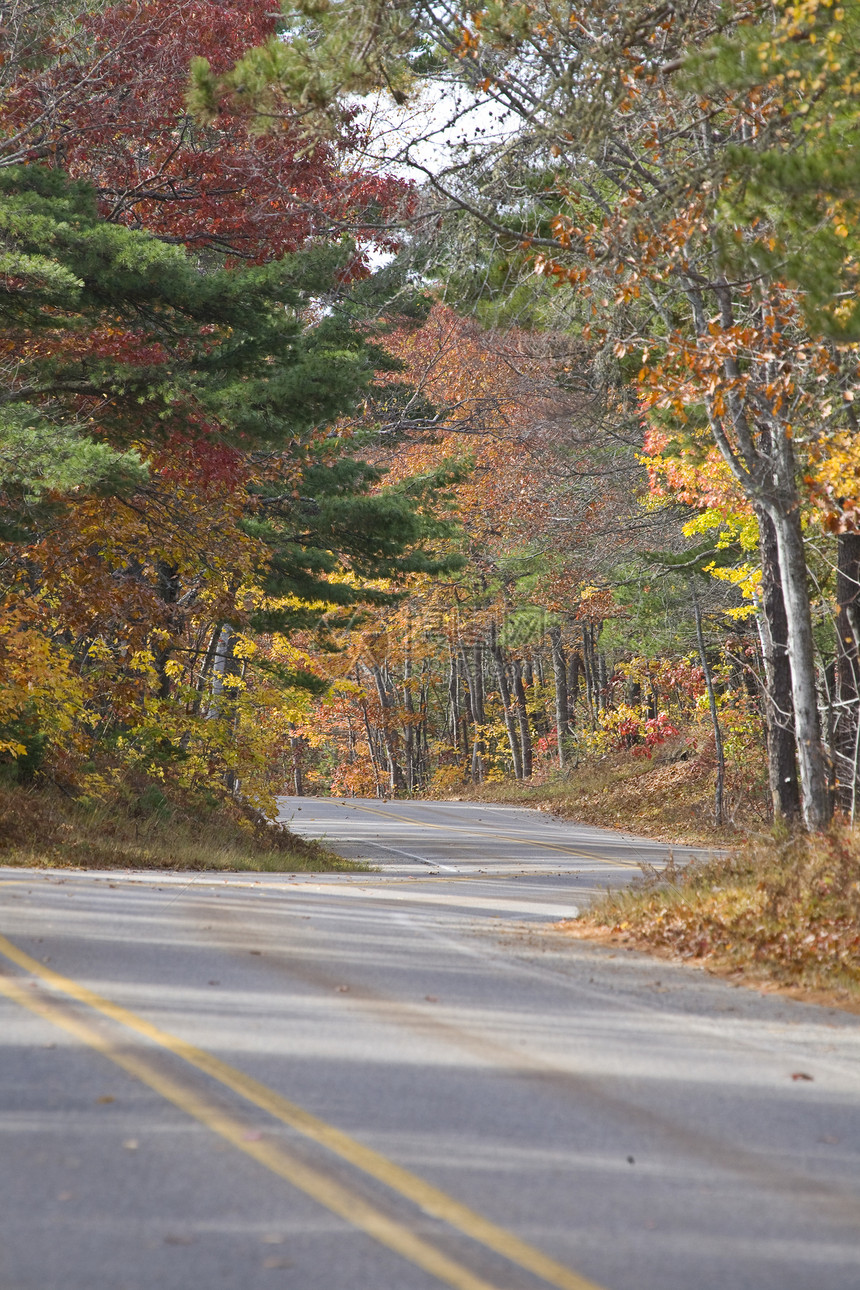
(449, 401)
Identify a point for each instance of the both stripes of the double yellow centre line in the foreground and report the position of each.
(336, 1196)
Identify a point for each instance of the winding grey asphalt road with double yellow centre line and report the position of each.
(406, 1080)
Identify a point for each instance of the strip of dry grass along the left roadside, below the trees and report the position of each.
(46, 829)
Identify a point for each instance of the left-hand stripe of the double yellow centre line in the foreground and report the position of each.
(342, 1202)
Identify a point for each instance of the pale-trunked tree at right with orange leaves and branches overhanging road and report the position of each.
(644, 215)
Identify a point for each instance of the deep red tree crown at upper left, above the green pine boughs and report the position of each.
(106, 105)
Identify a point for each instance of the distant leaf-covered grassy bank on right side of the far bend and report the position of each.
(666, 799)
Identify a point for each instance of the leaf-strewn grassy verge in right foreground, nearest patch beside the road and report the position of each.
(783, 911)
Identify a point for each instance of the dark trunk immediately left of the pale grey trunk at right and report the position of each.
(779, 710)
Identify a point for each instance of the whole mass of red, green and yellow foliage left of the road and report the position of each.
(172, 496)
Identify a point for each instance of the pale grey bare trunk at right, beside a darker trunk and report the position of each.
(801, 650)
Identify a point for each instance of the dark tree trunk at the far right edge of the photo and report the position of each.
(846, 735)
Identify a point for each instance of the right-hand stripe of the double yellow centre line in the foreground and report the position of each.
(412, 1187)
